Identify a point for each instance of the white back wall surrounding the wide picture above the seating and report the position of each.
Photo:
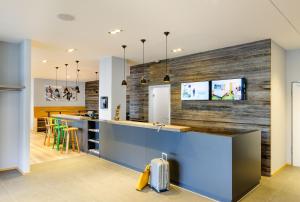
(39, 93)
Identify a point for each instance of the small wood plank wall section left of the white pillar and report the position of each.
(92, 95)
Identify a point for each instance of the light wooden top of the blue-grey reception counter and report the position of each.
(173, 128)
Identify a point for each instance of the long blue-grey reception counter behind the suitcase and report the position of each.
(223, 167)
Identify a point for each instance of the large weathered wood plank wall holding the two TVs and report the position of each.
(251, 61)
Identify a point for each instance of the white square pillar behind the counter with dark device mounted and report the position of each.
(111, 75)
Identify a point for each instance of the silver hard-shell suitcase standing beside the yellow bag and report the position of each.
(159, 174)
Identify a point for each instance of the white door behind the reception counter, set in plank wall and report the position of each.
(159, 104)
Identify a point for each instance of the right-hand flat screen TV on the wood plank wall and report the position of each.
(231, 89)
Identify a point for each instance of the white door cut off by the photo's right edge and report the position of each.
(296, 124)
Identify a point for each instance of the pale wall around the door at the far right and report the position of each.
(293, 74)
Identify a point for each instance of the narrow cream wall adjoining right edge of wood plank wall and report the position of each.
(278, 107)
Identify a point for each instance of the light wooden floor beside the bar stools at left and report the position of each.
(40, 153)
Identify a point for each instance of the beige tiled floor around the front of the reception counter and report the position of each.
(87, 178)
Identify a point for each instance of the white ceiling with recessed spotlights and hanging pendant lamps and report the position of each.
(195, 26)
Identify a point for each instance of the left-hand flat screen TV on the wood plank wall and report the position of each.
(195, 91)
